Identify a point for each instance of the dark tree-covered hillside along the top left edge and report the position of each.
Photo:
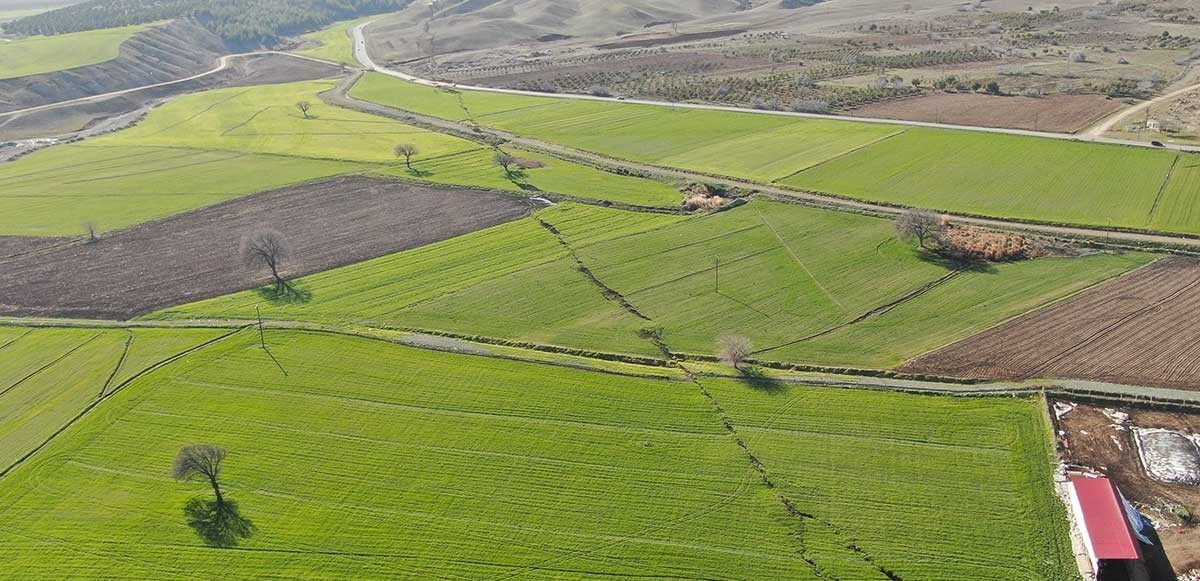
(243, 23)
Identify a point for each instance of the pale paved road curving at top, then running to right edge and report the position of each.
(364, 57)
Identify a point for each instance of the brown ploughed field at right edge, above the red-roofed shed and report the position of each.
(1139, 330)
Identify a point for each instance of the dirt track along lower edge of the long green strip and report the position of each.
(340, 97)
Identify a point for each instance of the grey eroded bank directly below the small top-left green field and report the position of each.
(175, 51)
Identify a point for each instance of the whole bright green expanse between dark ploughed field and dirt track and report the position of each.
(213, 147)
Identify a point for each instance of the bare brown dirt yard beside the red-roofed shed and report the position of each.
(1093, 441)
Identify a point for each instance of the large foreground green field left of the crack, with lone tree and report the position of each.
(571, 446)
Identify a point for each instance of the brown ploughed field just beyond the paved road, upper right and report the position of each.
(1057, 113)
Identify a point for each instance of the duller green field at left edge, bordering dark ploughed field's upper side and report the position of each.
(59, 191)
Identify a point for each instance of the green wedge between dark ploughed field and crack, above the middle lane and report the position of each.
(513, 281)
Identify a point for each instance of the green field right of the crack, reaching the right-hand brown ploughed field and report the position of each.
(790, 273)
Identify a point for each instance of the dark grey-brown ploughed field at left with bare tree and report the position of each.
(196, 256)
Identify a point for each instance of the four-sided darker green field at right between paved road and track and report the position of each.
(1001, 176)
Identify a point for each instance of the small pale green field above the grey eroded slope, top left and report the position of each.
(43, 55)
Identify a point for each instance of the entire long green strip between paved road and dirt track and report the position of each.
(1015, 177)
